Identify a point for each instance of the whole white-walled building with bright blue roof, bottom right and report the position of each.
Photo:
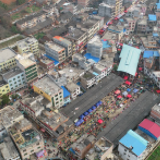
(131, 146)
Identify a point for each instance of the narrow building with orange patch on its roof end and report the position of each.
(64, 43)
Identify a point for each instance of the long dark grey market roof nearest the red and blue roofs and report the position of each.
(130, 118)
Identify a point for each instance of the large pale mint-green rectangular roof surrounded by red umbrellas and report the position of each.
(129, 59)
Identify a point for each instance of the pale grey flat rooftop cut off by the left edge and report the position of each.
(6, 54)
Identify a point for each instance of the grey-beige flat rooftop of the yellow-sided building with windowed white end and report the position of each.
(47, 85)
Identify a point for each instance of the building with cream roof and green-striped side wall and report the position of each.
(27, 64)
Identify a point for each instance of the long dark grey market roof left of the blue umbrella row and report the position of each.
(91, 97)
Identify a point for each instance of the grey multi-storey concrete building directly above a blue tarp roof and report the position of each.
(95, 47)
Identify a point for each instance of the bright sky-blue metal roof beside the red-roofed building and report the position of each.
(132, 139)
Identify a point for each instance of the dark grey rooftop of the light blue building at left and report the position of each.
(13, 72)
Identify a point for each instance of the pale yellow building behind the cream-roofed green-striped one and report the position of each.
(27, 45)
